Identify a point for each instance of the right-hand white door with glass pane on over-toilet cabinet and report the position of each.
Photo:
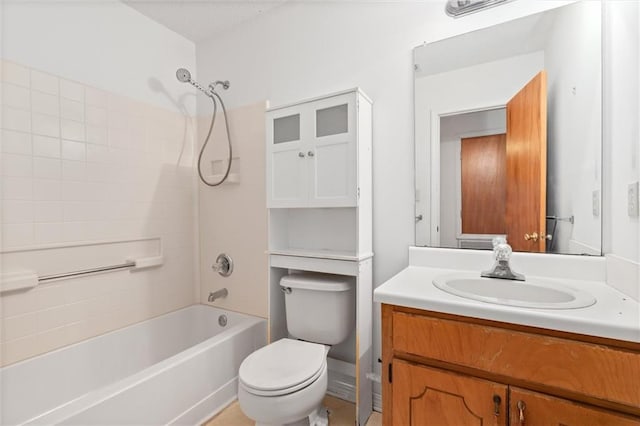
(332, 153)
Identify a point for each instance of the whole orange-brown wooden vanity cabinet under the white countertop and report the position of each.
(441, 369)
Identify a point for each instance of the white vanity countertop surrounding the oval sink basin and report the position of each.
(614, 315)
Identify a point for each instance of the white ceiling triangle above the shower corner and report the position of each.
(199, 20)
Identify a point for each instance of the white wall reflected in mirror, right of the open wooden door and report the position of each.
(575, 133)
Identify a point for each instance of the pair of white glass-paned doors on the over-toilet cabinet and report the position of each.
(312, 153)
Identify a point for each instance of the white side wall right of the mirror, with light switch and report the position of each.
(622, 141)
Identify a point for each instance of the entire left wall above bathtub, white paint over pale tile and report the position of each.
(95, 147)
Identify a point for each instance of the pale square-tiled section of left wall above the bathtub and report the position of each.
(79, 164)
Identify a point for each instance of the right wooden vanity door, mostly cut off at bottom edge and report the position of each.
(533, 409)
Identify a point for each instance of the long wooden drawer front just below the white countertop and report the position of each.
(555, 362)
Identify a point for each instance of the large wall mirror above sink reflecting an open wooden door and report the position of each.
(508, 133)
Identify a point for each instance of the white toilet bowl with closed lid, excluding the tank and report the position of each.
(284, 383)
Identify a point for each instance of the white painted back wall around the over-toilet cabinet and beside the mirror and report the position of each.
(306, 49)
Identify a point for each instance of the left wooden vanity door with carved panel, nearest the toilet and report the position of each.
(424, 396)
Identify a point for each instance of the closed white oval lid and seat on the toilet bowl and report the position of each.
(282, 367)
